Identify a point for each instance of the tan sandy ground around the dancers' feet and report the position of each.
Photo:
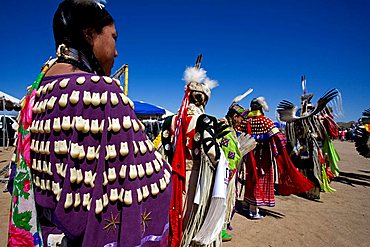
(341, 218)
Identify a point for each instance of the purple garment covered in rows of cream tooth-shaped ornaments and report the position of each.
(97, 177)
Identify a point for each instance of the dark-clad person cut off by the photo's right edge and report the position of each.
(362, 134)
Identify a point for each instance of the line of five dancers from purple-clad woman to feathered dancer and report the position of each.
(86, 173)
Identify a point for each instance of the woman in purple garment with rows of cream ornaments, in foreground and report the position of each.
(86, 173)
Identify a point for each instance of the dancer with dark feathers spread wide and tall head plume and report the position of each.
(309, 130)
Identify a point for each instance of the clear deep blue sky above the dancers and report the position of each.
(266, 45)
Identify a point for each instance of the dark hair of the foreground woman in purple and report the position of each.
(72, 18)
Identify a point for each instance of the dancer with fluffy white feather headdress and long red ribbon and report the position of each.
(199, 166)
